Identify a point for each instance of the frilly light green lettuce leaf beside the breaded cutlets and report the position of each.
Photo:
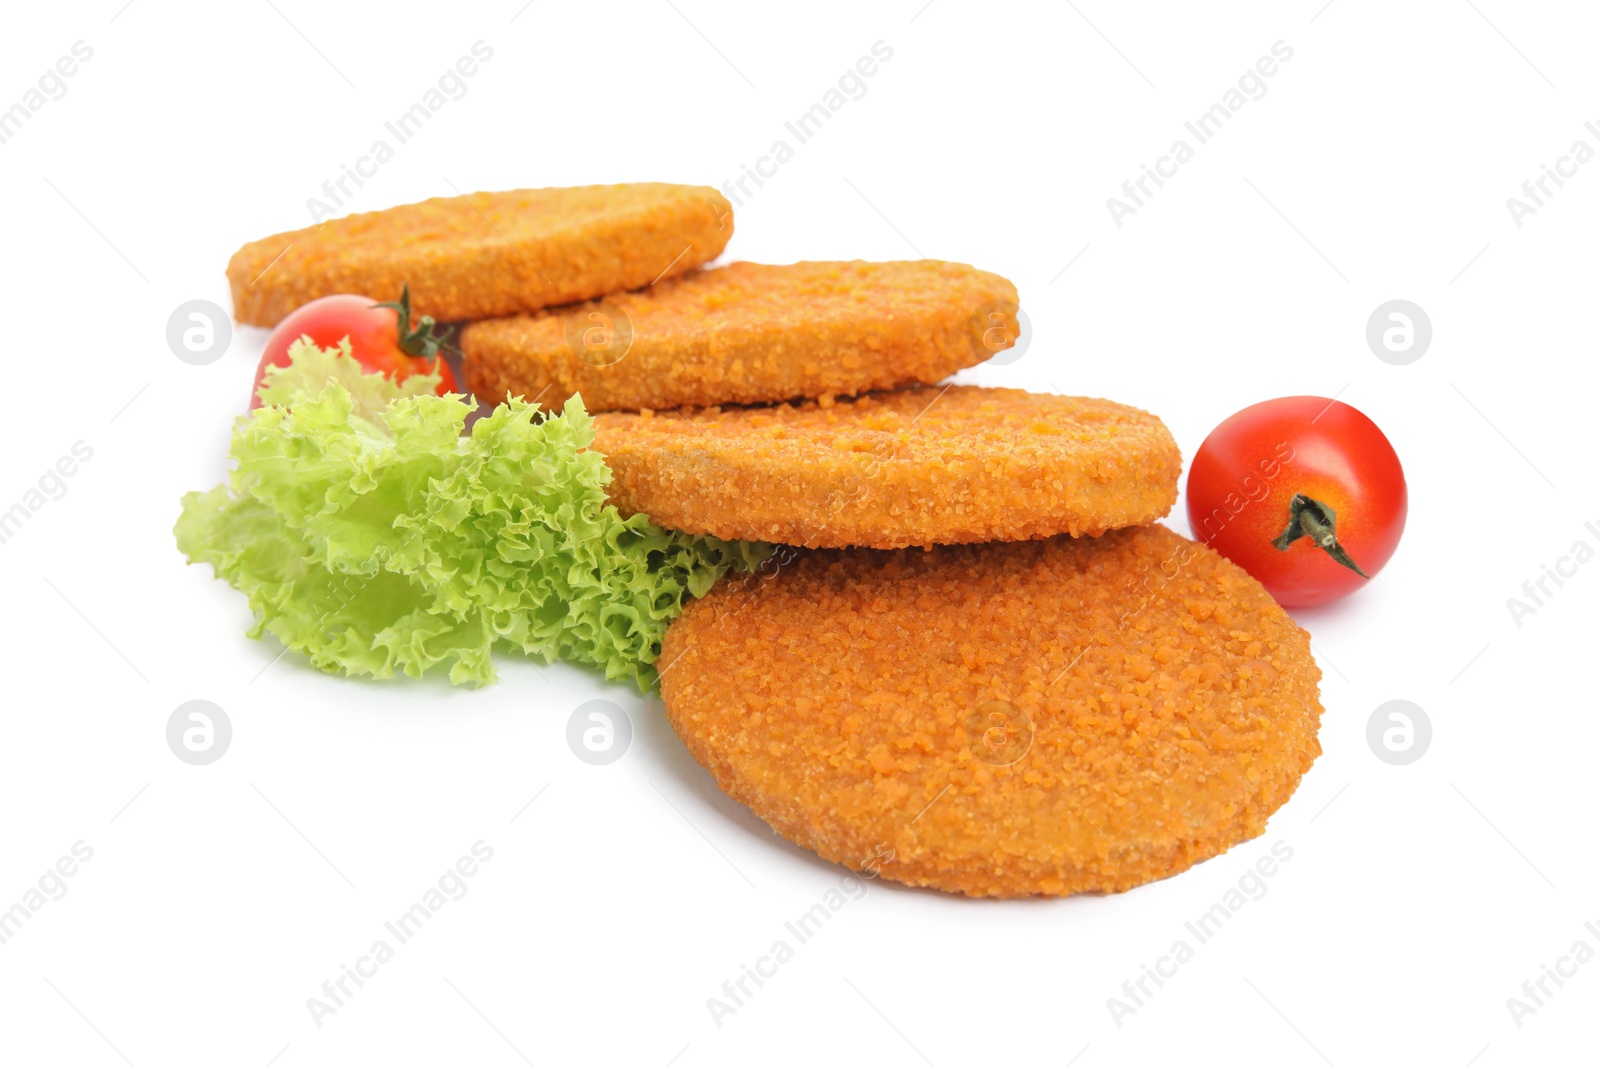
(375, 540)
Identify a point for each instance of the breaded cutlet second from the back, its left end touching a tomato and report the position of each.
(750, 334)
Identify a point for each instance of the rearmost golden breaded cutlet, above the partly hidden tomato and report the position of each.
(487, 254)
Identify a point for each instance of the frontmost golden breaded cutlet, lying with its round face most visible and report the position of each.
(1046, 717)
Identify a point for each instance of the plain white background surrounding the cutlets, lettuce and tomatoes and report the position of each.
(1377, 167)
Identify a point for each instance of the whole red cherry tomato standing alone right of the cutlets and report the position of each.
(1305, 494)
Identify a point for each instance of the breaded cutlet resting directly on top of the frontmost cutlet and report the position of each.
(895, 470)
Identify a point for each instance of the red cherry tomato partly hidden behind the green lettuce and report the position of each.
(375, 332)
